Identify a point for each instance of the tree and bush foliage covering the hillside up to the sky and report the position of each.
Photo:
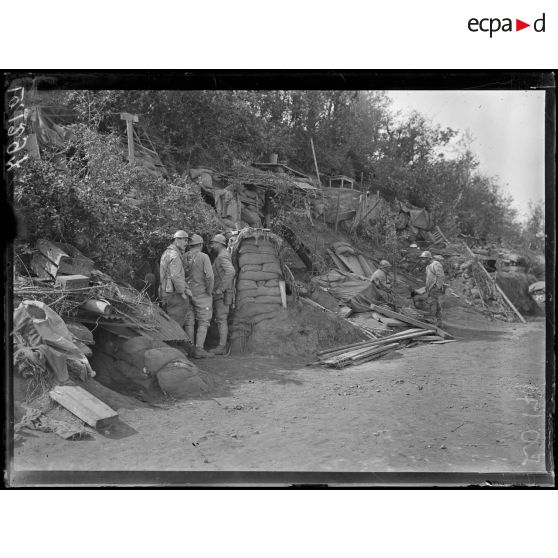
(354, 133)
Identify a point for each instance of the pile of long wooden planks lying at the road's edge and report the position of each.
(358, 353)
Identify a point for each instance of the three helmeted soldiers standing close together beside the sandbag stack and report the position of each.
(192, 290)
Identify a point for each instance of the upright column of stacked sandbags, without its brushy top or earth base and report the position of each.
(258, 296)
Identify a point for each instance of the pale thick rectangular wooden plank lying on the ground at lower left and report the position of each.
(84, 405)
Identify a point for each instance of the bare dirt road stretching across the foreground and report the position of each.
(475, 405)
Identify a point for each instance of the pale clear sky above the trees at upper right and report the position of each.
(507, 128)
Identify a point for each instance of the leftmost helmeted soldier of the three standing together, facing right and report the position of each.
(173, 289)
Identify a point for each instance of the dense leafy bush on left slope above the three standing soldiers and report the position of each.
(120, 216)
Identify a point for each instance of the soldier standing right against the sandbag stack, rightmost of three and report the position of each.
(223, 271)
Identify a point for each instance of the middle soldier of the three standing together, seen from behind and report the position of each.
(201, 281)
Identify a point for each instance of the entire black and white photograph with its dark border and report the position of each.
(279, 278)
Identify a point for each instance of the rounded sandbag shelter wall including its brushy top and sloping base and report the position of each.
(256, 254)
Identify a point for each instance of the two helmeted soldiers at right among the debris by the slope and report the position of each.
(434, 288)
